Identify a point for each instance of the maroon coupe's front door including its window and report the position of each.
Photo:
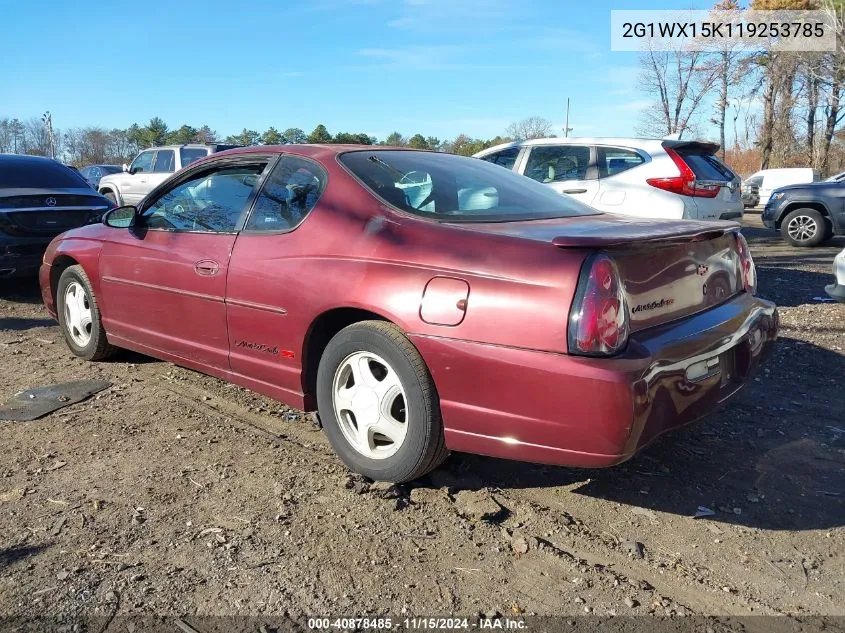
(163, 282)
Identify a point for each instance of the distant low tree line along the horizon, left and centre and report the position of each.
(98, 145)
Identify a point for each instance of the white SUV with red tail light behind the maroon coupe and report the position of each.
(653, 178)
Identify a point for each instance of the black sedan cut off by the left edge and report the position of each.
(40, 198)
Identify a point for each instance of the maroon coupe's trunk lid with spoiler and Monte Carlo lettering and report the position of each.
(669, 269)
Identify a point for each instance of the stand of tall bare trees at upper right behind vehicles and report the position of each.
(786, 109)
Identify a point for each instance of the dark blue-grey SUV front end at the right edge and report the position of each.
(807, 214)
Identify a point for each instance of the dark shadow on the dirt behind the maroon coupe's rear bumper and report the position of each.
(773, 459)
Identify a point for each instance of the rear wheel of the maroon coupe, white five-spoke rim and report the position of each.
(378, 404)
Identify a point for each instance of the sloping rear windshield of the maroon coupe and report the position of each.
(457, 189)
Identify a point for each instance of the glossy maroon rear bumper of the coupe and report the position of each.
(567, 410)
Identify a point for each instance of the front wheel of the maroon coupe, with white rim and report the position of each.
(79, 316)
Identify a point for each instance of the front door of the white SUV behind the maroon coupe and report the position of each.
(568, 169)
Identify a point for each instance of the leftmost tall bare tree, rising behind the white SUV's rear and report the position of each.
(678, 82)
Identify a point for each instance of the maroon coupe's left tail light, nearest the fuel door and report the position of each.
(598, 320)
